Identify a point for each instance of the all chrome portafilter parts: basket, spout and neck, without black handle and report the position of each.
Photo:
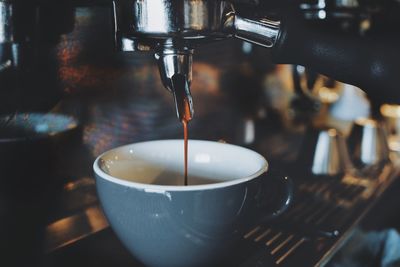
(173, 28)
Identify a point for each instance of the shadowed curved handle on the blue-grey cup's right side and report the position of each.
(275, 183)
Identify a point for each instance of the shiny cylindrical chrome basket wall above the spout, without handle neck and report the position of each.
(163, 19)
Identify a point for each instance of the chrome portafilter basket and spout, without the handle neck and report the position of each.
(171, 29)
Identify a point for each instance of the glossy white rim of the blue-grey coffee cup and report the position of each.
(162, 188)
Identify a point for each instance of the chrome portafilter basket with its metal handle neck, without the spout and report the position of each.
(188, 23)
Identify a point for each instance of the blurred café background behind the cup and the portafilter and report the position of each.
(67, 96)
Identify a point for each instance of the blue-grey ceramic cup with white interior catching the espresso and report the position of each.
(165, 223)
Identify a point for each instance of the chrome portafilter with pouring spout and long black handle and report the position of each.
(173, 28)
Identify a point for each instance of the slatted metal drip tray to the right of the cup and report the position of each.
(323, 215)
